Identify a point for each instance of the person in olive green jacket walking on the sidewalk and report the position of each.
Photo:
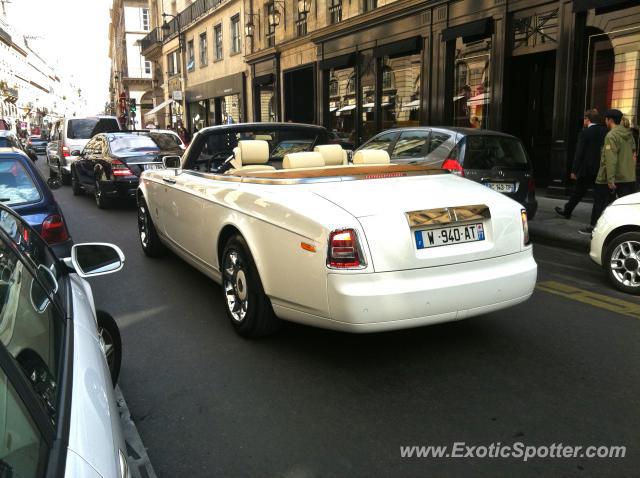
(617, 173)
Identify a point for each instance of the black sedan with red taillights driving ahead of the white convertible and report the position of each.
(111, 163)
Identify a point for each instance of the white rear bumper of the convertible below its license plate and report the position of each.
(403, 299)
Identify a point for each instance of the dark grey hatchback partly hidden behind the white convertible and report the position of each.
(497, 160)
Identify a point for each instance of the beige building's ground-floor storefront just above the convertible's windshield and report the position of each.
(215, 102)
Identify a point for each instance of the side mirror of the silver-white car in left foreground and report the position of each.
(95, 259)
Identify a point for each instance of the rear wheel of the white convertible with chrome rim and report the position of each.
(246, 305)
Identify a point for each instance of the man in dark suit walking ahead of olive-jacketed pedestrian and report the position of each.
(586, 161)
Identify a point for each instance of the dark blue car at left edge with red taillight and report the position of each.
(23, 188)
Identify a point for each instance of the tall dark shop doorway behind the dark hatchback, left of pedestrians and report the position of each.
(528, 104)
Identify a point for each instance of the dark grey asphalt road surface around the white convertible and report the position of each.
(561, 368)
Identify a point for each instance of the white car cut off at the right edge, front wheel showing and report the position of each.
(615, 243)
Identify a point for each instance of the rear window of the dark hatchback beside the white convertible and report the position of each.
(487, 152)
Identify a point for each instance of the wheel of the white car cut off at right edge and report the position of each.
(623, 272)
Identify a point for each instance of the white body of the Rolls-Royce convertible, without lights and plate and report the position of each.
(400, 287)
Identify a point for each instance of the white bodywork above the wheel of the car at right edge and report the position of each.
(622, 212)
